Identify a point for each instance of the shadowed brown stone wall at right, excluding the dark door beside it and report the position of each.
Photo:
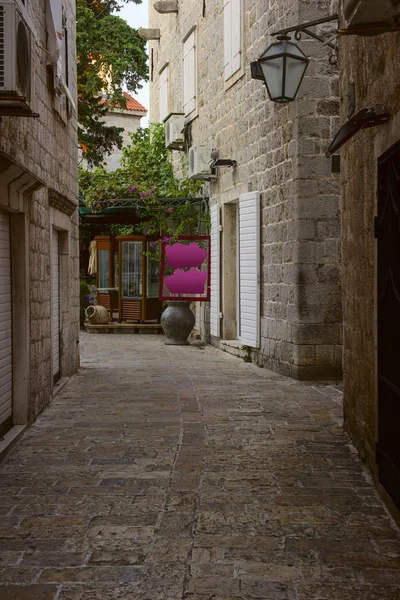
(371, 65)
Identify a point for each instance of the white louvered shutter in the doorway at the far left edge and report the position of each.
(5, 320)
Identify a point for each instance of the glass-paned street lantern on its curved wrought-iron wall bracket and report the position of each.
(283, 65)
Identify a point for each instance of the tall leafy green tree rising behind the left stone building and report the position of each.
(110, 55)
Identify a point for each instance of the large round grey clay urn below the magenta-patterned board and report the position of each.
(177, 322)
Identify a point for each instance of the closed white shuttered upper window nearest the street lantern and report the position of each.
(233, 15)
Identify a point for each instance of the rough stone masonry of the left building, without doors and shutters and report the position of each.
(46, 147)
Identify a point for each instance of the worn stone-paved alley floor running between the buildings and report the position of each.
(170, 473)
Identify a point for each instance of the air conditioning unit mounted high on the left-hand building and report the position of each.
(15, 59)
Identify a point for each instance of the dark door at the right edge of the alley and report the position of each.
(388, 234)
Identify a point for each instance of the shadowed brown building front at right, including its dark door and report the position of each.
(369, 68)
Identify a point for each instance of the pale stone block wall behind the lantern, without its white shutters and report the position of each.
(280, 152)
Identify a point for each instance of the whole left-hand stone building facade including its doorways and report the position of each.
(39, 259)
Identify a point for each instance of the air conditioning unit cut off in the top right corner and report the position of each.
(363, 12)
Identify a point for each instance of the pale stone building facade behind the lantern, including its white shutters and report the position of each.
(294, 300)
